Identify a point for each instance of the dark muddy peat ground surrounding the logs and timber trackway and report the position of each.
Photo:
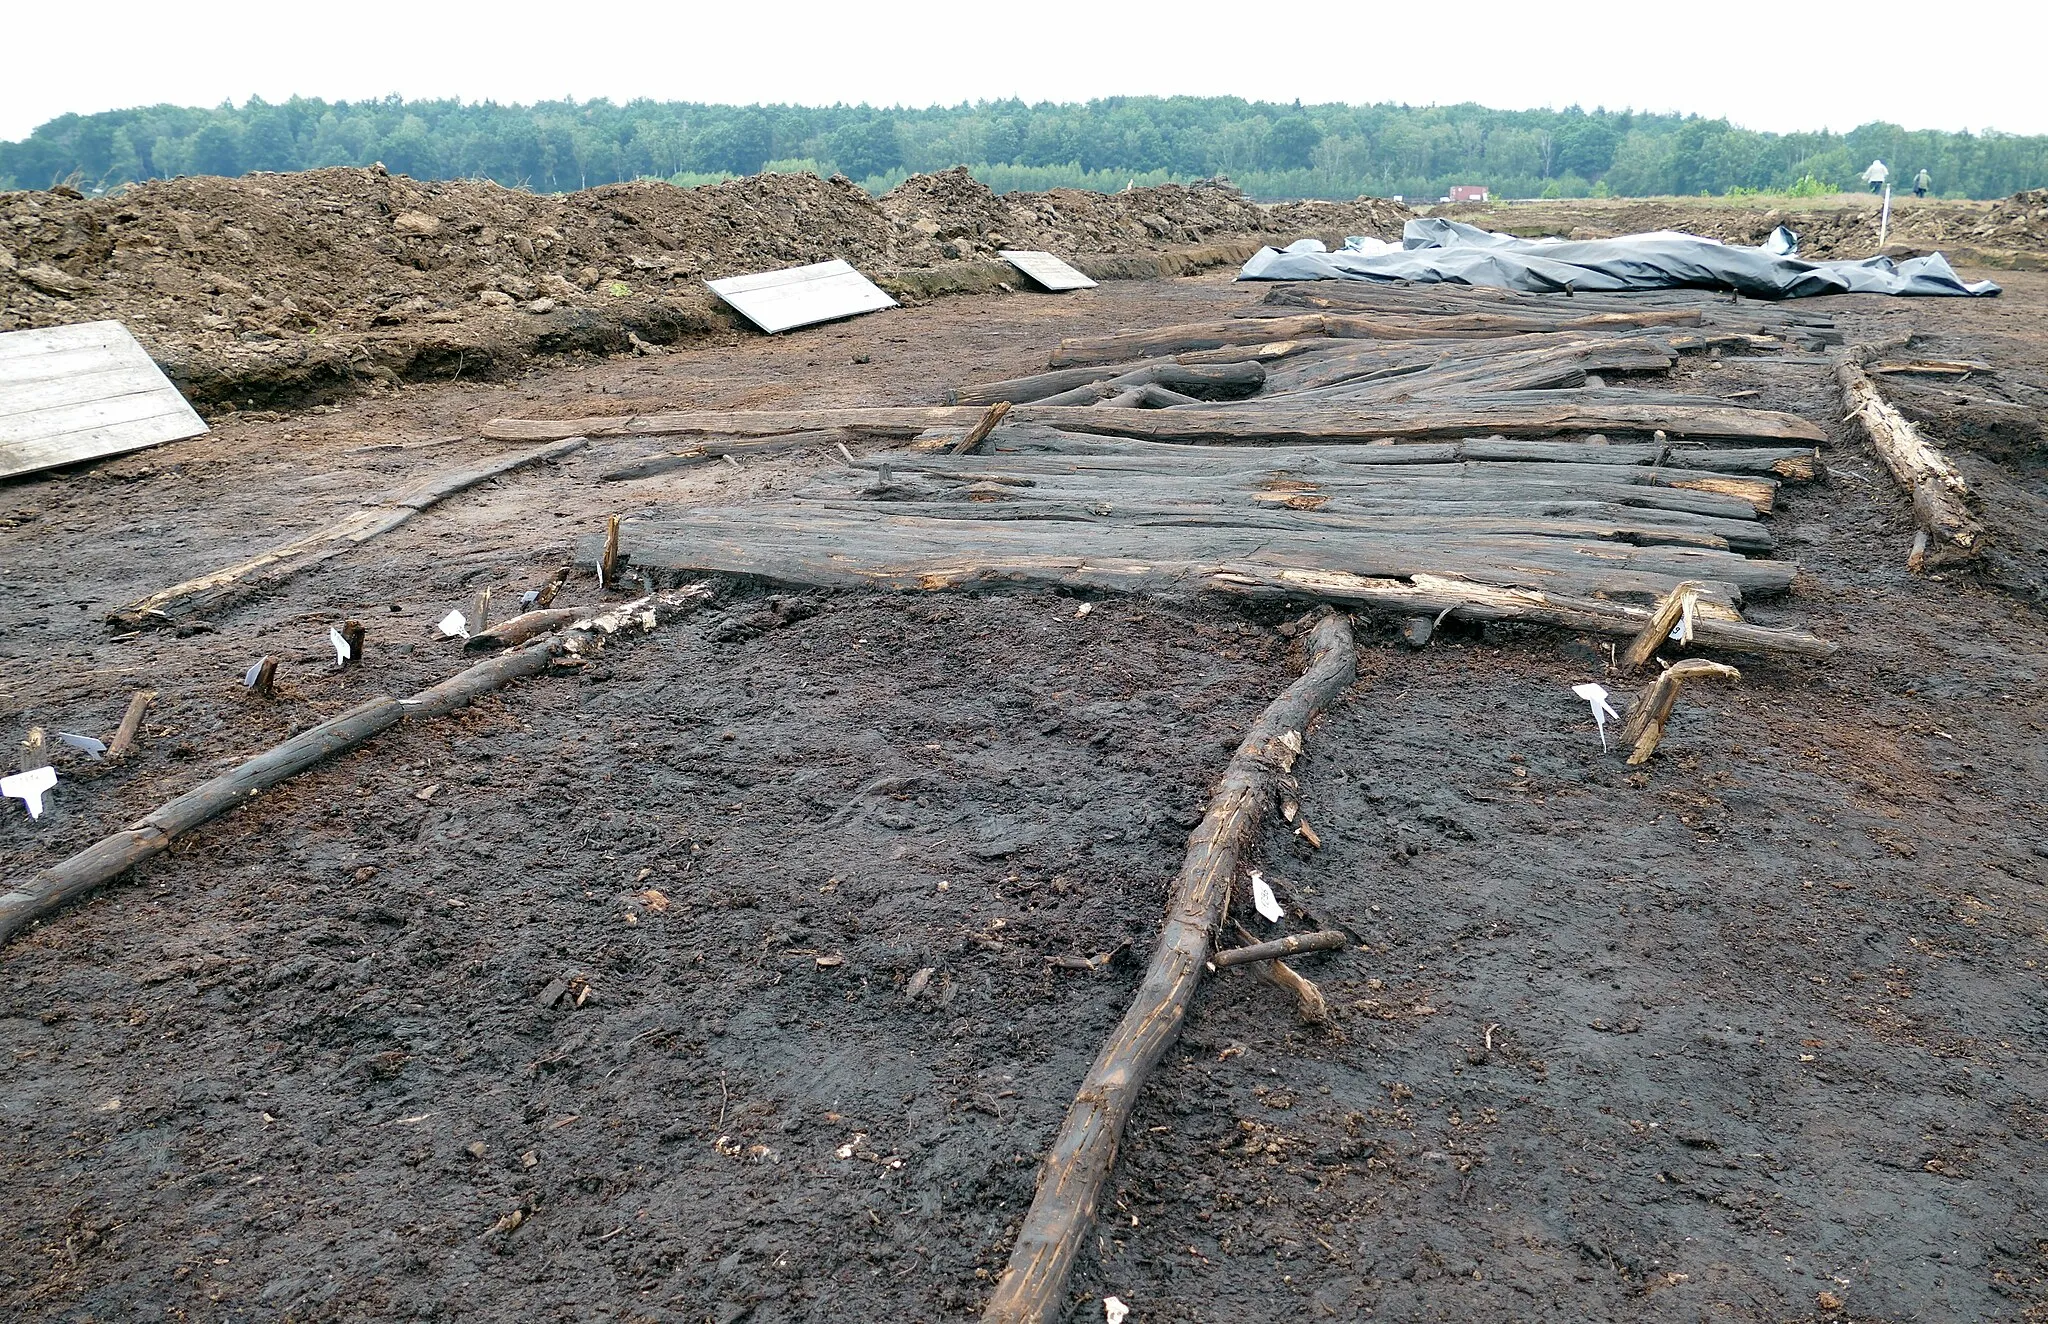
(1752, 1034)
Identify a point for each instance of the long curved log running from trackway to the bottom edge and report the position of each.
(1070, 1180)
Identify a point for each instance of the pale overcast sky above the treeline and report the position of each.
(1768, 67)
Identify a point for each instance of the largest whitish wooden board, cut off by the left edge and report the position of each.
(83, 392)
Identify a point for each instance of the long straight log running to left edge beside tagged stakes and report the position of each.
(103, 862)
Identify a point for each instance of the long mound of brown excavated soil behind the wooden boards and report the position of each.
(280, 284)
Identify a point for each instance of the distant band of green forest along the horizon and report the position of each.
(1269, 151)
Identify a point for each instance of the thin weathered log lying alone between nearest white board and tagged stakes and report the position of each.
(212, 591)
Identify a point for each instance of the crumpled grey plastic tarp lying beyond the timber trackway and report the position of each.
(1443, 251)
